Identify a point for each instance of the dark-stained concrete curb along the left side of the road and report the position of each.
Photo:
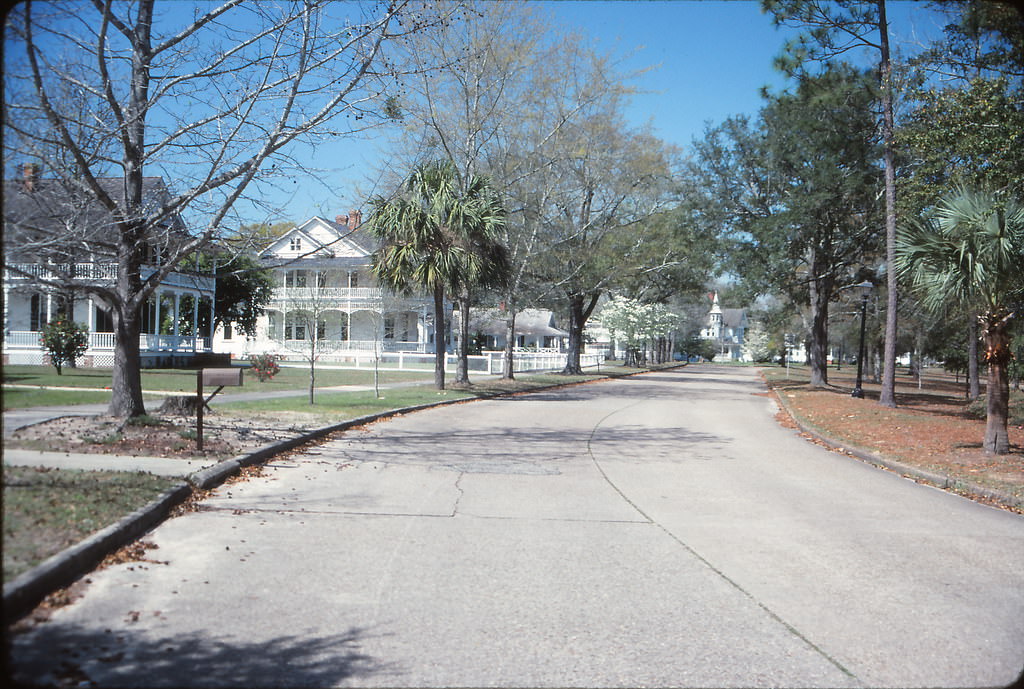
(26, 592)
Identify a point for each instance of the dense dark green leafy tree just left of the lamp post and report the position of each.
(795, 196)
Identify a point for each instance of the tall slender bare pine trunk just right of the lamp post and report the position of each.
(888, 395)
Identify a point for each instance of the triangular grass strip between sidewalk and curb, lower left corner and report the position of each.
(48, 510)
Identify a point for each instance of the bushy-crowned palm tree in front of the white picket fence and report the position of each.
(439, 238)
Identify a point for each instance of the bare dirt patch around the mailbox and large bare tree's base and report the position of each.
(168, 437)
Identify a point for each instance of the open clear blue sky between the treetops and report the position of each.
(711, 59)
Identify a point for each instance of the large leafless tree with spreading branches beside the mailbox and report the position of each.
(207, 100)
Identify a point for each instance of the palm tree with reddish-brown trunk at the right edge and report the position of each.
(972, 253)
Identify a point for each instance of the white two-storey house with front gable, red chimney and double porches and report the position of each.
(326, 290)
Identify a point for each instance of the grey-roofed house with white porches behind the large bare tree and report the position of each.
(57, 246)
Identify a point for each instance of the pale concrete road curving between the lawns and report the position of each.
(661, 531)
